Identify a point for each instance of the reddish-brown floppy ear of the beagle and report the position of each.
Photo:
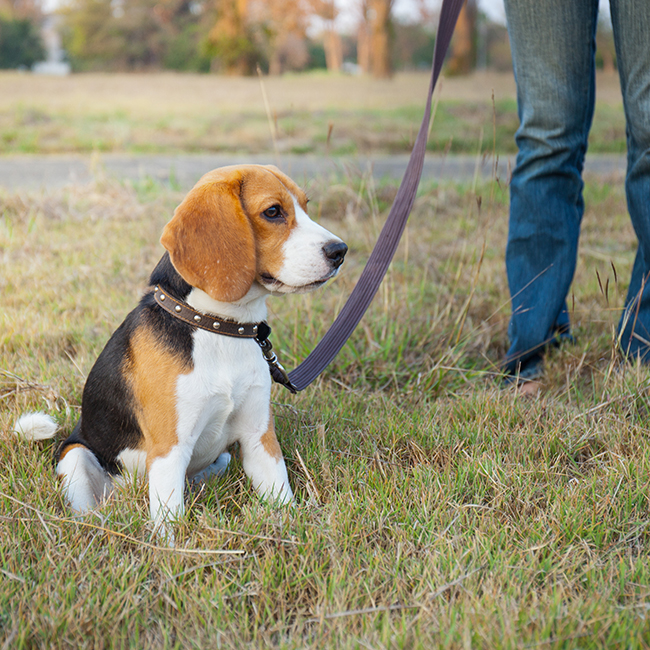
(211, 243)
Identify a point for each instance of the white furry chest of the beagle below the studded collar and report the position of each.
(229, 384)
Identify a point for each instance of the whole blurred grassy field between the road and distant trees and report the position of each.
(309, 114)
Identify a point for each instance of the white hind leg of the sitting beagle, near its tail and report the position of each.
(85, 482)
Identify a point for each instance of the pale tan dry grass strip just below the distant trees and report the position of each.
(165, 94)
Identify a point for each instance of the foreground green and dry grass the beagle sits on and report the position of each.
(433, 508)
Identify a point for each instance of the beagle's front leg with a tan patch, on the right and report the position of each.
(262, 458)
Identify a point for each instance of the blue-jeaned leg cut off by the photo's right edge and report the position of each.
(631, 23)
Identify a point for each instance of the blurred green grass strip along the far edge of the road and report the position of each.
(459, 126)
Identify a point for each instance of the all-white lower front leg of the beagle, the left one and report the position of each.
(166, 490)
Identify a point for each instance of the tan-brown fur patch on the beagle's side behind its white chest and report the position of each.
(152, 371)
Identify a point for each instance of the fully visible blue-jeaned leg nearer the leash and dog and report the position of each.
(553, 46)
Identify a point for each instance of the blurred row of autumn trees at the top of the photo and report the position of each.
(234, 37)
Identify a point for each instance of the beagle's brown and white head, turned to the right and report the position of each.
(245, 224)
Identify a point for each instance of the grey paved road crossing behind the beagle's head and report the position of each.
(183, 170)
